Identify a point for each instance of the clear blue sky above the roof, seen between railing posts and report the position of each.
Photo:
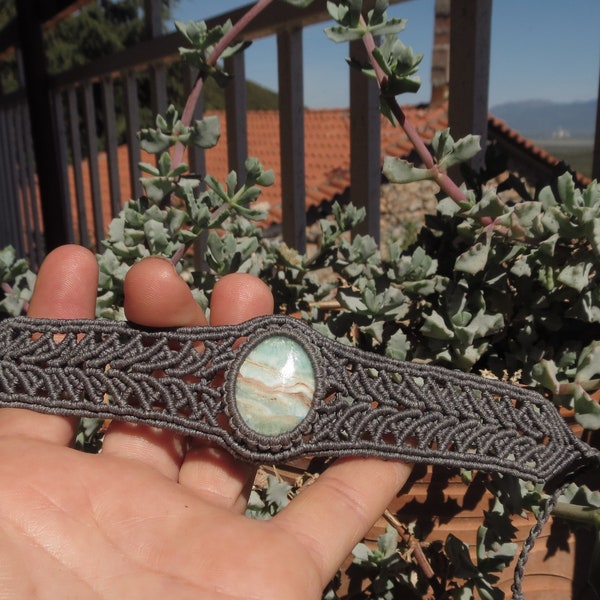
(541, 49)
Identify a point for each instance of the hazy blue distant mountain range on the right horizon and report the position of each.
(543, 119)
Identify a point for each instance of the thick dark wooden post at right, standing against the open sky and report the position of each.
(470, 34)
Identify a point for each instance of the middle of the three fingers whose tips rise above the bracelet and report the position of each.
(155, 296)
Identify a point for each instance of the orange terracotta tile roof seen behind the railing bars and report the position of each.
(327, 148)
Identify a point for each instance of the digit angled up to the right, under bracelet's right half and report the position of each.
(331, 516)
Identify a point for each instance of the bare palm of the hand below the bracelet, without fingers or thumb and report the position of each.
(101, 526)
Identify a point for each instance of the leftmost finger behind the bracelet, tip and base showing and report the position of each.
(65, 288)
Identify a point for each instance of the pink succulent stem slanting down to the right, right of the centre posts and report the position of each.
(441, 176)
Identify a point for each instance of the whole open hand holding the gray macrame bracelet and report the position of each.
(152, 516)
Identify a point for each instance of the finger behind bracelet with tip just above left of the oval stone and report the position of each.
(207, 469)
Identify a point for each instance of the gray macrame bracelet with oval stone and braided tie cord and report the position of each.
(273, 389)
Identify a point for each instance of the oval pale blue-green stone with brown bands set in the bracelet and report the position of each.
(274, 386)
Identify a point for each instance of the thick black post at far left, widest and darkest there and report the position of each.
(52, 192)
